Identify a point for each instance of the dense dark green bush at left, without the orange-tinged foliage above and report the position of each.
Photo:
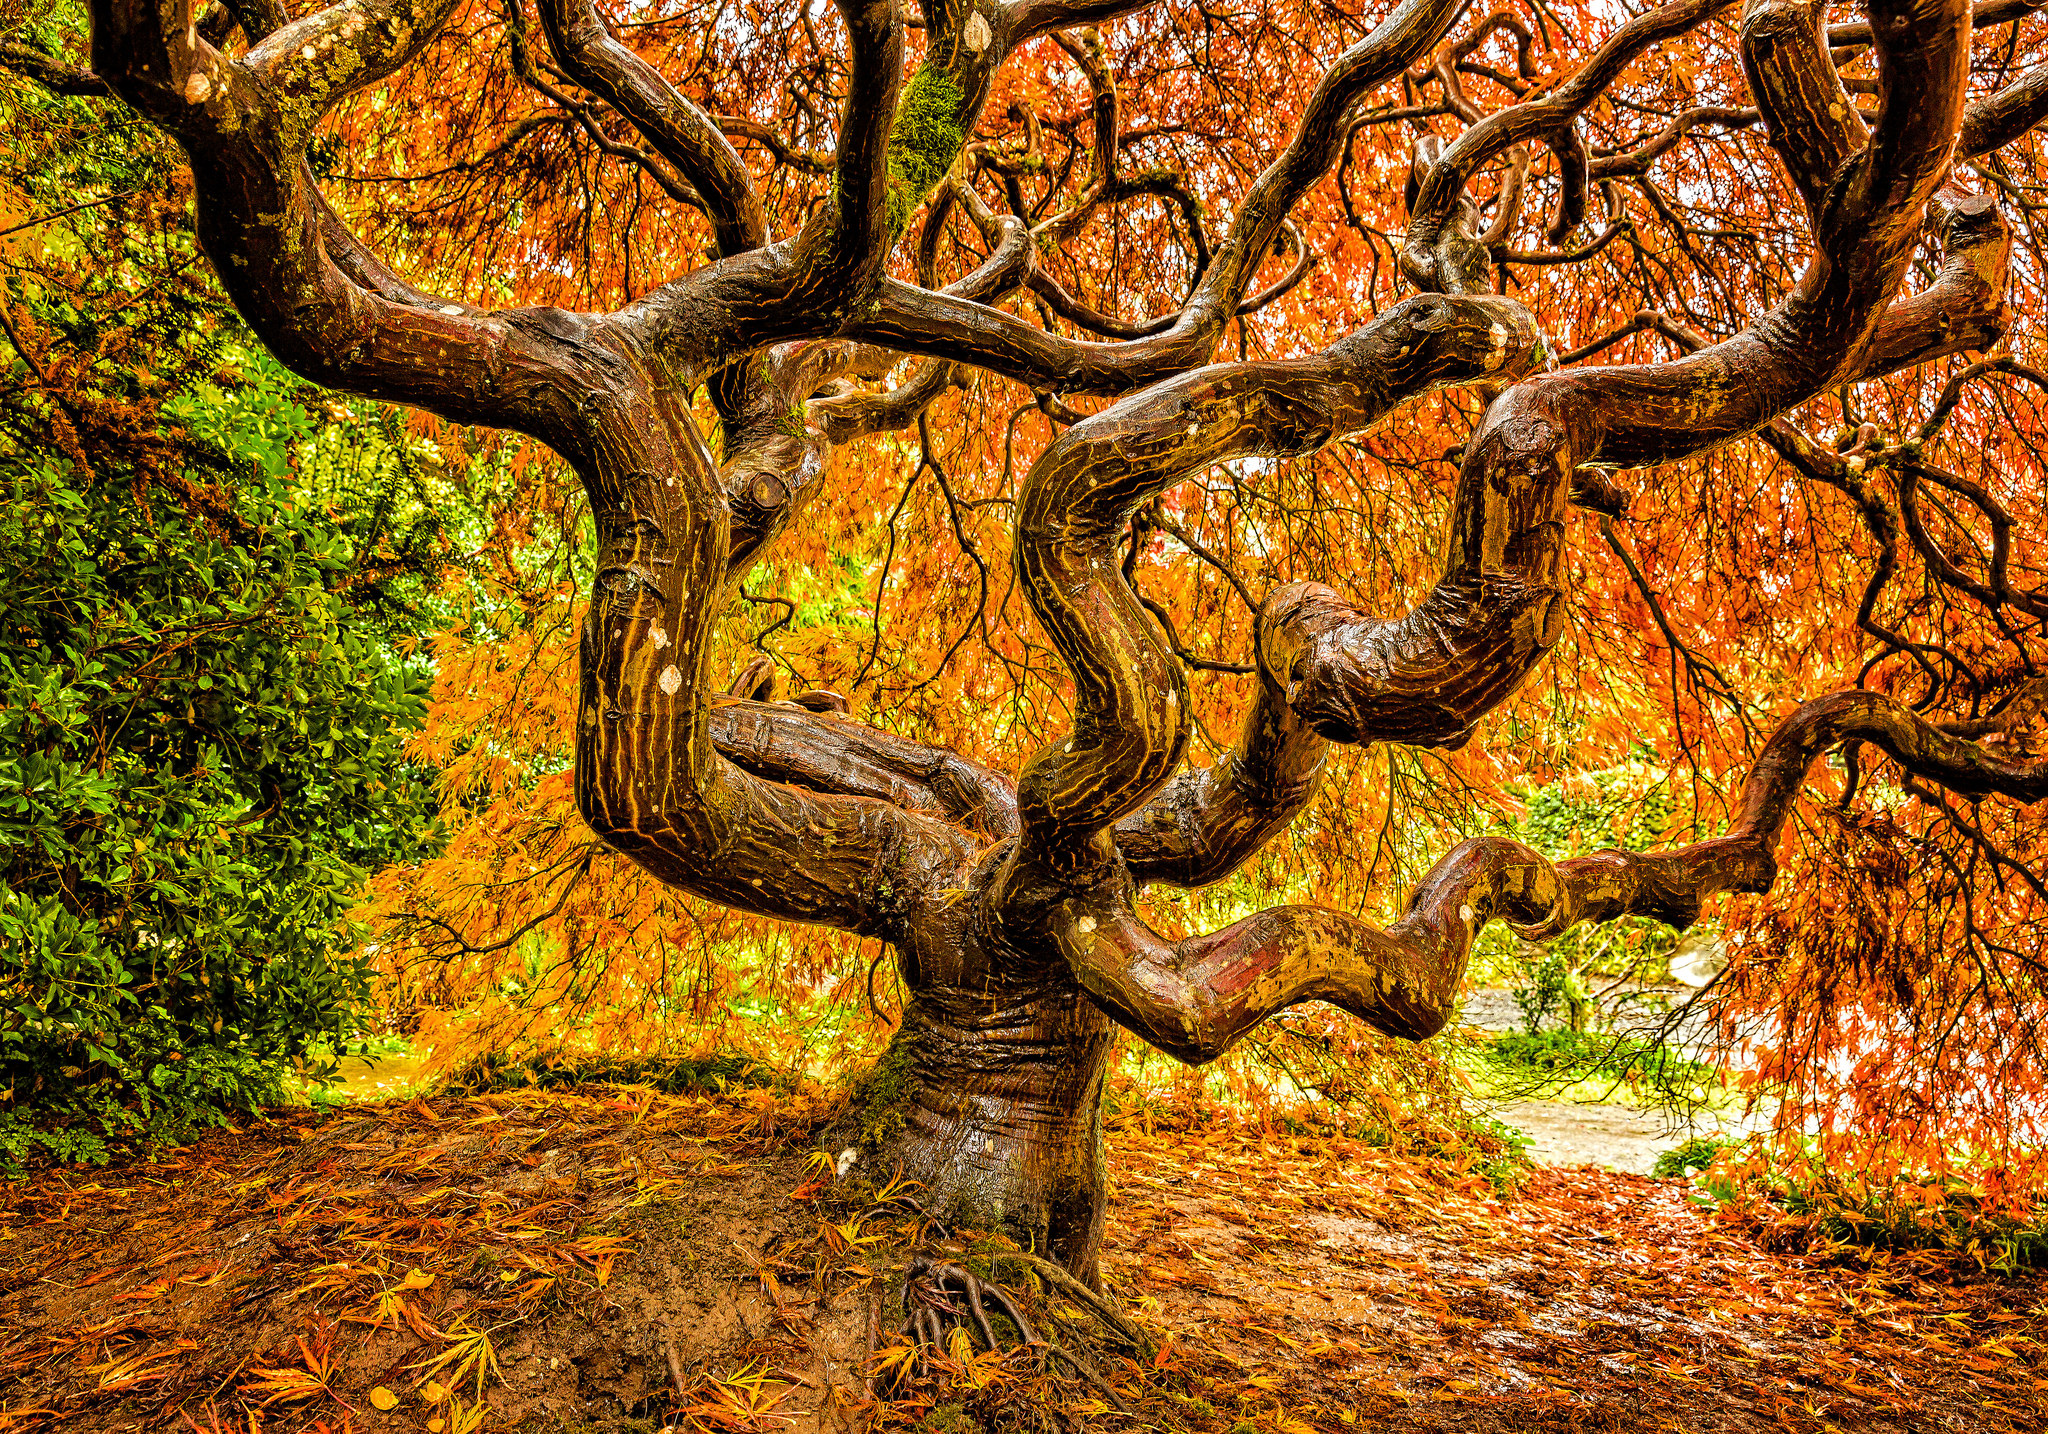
(200, 755)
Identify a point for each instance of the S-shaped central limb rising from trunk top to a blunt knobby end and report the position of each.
(1132, 722)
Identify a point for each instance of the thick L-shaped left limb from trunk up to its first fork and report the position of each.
(650, 777)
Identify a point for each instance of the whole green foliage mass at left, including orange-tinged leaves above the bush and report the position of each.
(206, 581)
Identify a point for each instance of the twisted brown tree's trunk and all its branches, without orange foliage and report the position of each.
(1013, 904)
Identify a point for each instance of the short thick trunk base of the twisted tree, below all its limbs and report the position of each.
(992, 1101)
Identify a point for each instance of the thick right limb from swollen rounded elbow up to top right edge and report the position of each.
(1431, 675)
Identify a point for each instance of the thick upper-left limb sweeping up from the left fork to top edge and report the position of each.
(327, 308)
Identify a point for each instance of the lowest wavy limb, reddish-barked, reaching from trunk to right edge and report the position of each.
(1199, 997)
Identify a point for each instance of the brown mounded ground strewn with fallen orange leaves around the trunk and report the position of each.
(624, 1259)
